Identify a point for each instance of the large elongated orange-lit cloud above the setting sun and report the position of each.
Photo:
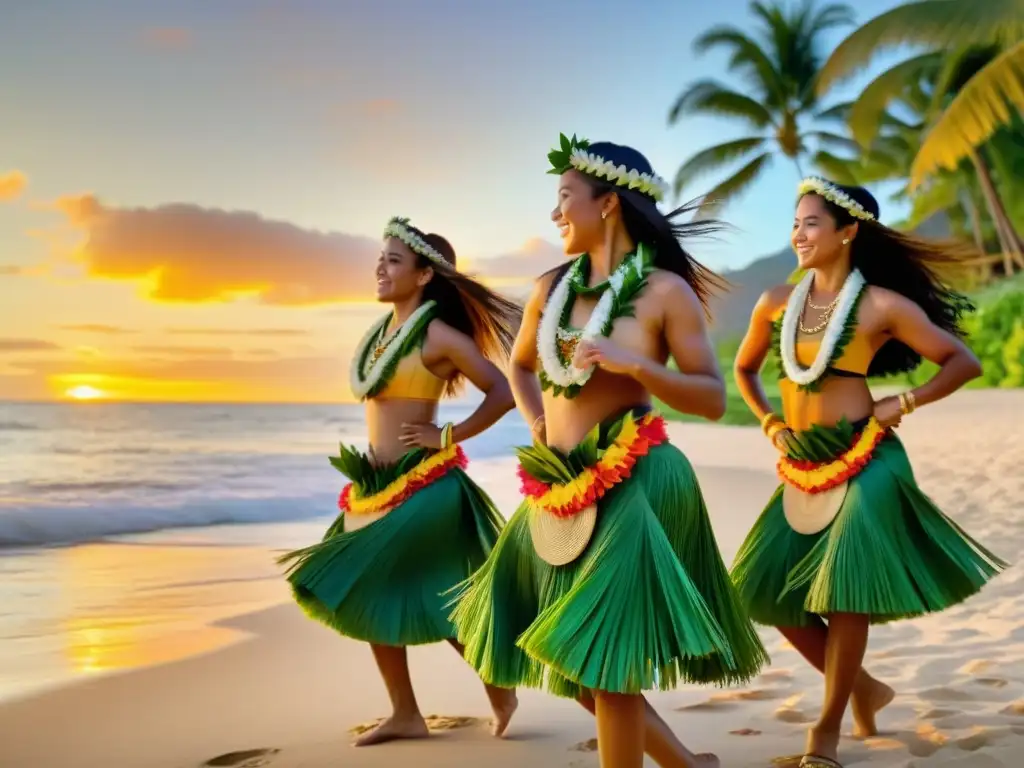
(192, 254)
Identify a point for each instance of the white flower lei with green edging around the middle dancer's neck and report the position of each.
(557, 343)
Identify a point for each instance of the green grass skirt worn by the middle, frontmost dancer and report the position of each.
(649, 605)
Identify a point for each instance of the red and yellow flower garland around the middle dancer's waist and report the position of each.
(614, 466)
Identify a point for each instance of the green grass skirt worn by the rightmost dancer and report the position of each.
(889, 552)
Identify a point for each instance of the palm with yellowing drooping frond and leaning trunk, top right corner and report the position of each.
(978, 64)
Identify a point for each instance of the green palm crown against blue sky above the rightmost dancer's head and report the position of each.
(779, 67)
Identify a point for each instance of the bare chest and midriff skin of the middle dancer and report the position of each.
(605, 396)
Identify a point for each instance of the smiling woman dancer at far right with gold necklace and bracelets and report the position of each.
(849, 538)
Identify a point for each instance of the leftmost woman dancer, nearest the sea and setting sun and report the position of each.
(412, 523)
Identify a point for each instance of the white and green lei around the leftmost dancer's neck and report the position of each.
(377, 357)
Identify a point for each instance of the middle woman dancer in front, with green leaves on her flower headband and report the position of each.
(608, 581)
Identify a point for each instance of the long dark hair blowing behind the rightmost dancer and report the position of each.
(910, 266)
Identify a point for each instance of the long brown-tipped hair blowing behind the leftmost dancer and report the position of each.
(491, 320)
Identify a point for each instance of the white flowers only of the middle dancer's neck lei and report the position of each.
(550, 330)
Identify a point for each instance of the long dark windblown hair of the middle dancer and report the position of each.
(645, 223)
